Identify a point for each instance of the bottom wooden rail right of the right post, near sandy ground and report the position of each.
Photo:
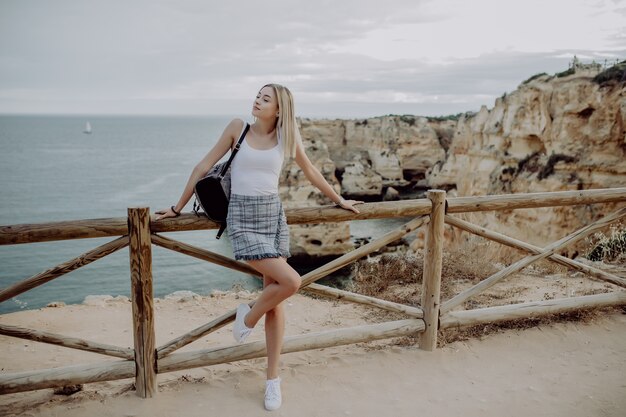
(530, 310)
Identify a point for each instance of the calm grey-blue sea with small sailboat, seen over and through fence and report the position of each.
(50, 170)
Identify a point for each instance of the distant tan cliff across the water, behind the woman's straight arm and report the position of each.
(363, 159)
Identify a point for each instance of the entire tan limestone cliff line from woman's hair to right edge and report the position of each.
(553, 133)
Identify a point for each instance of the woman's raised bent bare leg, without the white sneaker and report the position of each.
(285, 282)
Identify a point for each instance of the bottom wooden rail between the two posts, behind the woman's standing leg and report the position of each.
(338, 337)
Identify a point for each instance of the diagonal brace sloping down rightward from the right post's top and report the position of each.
(527, 247)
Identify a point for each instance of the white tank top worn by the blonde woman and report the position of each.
(255, 171)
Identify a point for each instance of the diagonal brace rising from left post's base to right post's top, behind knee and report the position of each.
(307, 279)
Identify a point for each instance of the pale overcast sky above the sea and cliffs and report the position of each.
(340, 58)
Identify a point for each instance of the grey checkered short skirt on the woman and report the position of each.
(257, 227)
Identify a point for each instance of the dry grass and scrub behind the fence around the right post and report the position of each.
(469, 259)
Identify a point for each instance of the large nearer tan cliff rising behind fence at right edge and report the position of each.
(551, 134)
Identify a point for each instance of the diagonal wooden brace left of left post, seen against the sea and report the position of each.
(66, 267)
